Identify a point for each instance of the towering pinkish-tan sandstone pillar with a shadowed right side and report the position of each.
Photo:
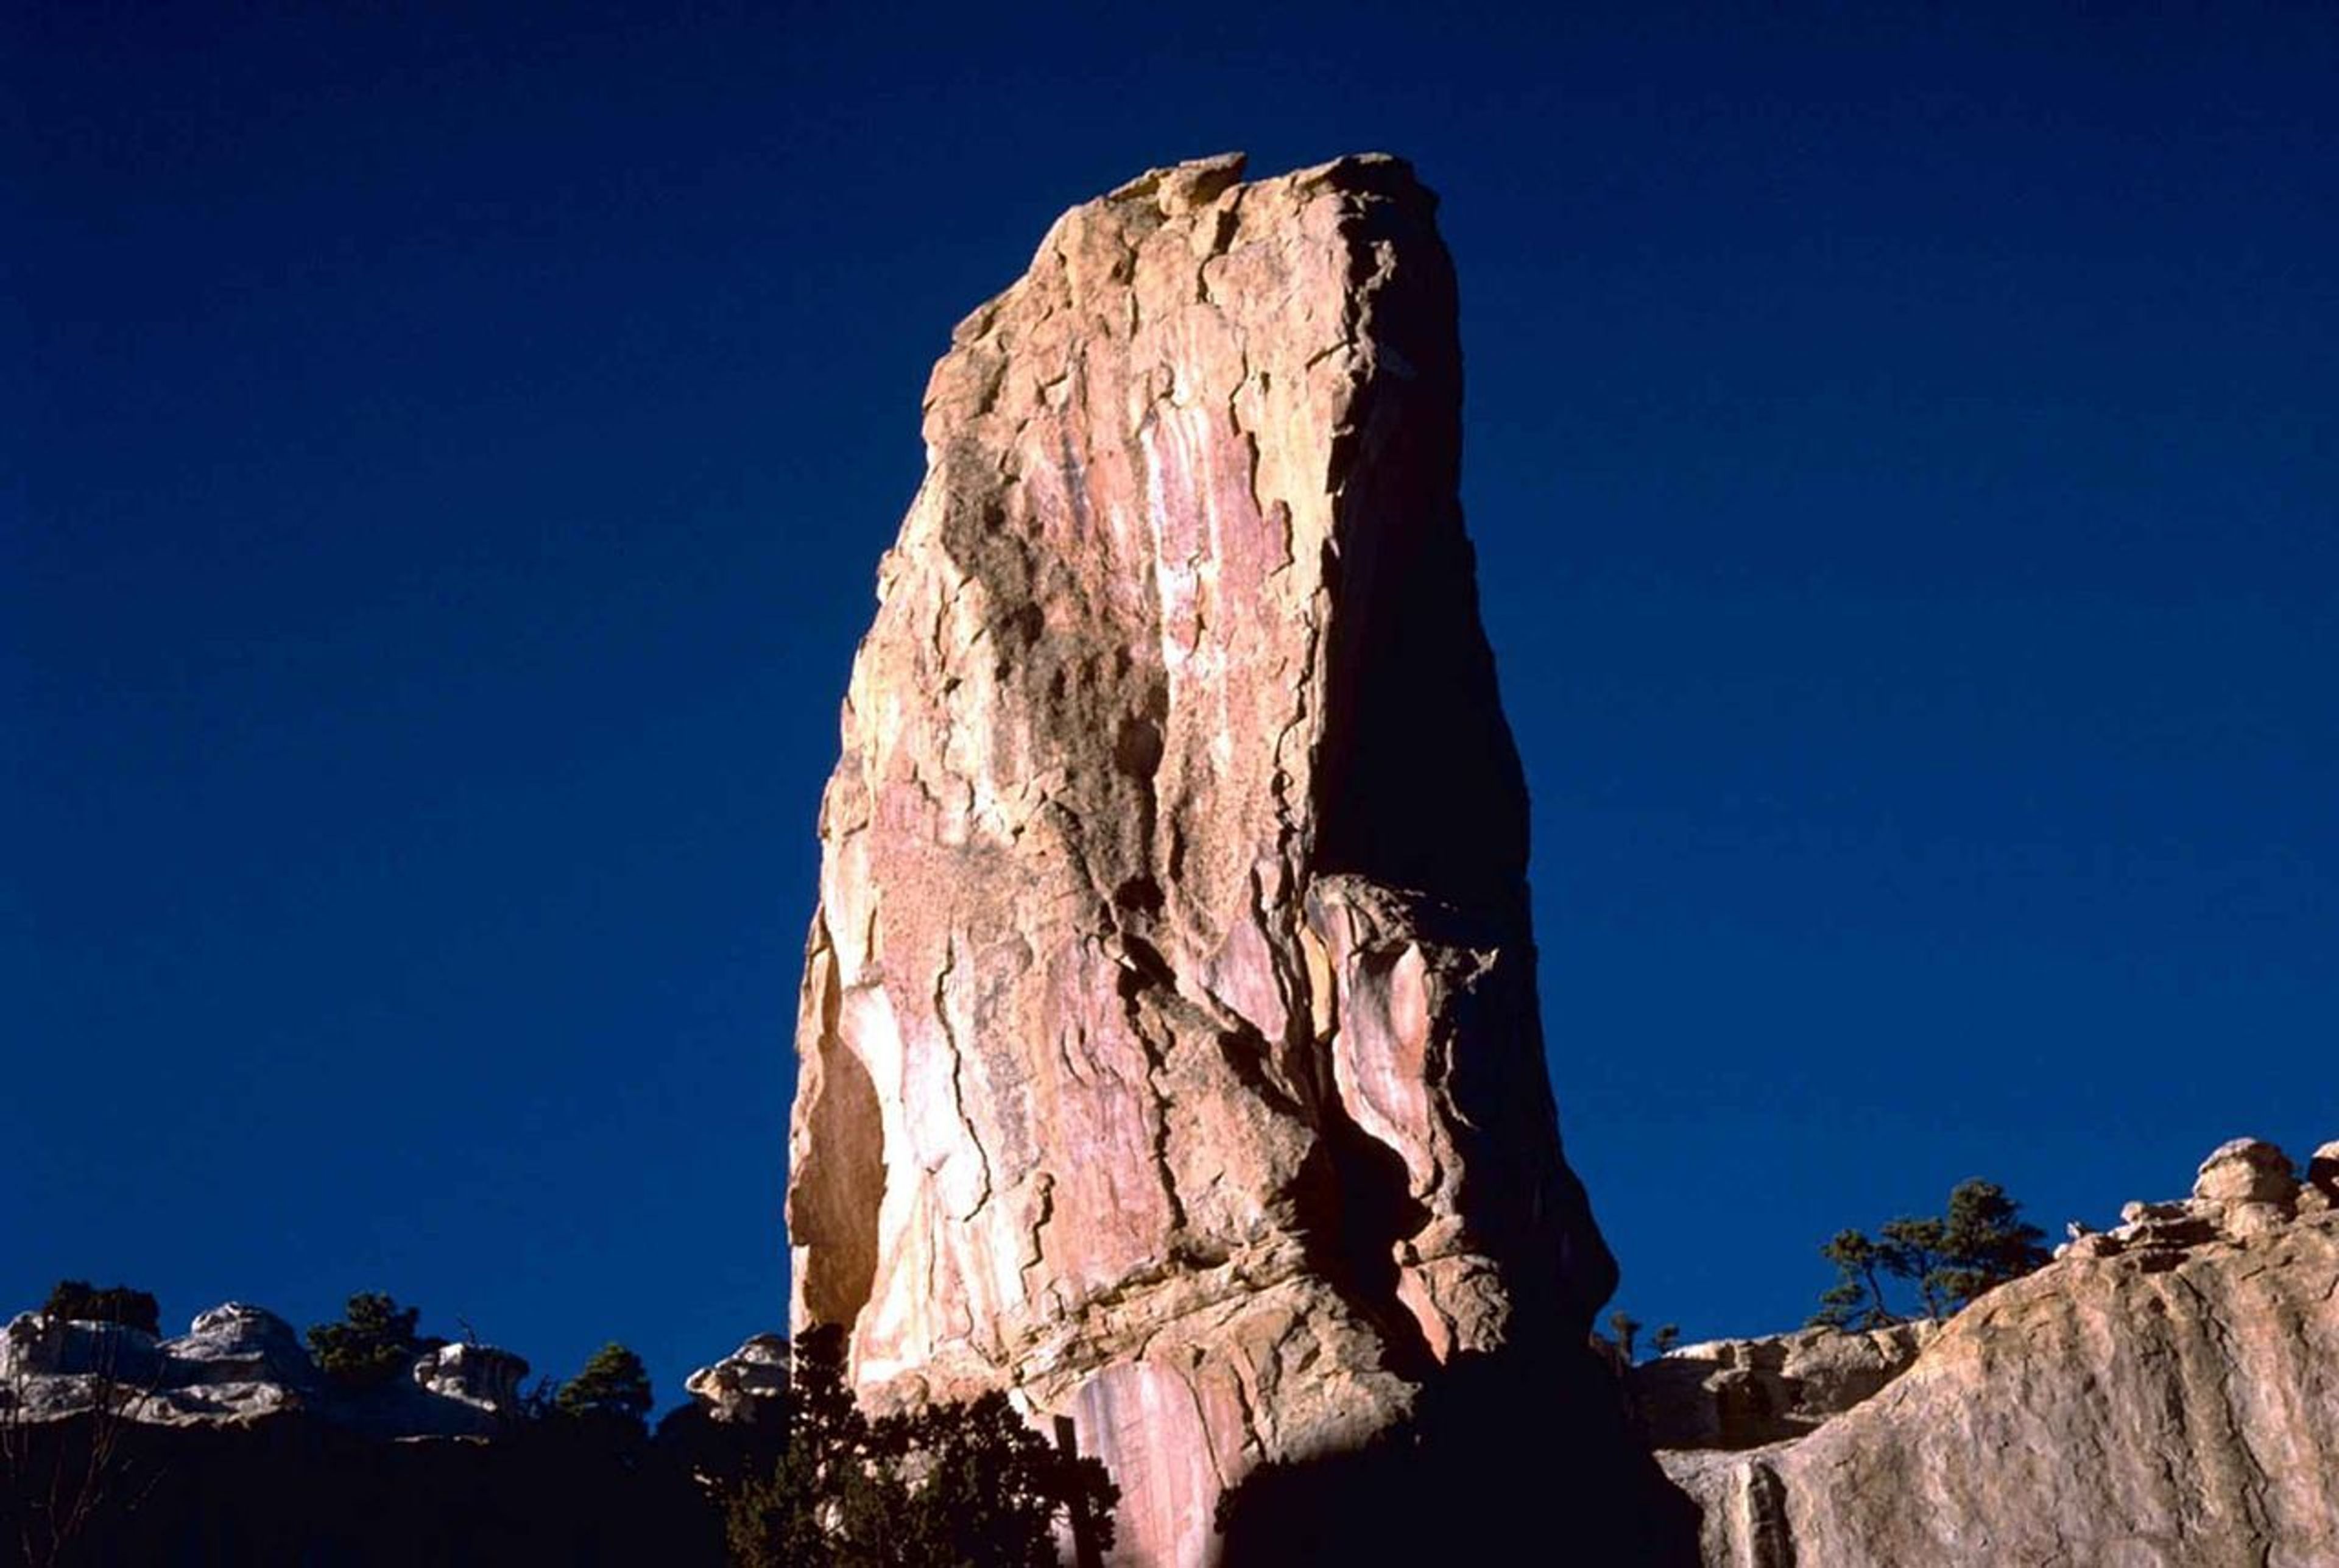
(1168, 1040)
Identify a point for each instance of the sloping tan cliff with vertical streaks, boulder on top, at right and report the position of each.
(2165, 1396)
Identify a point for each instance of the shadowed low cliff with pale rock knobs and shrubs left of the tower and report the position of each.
(228, 1447)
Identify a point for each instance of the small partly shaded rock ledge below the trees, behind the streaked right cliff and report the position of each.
(1741, 1394)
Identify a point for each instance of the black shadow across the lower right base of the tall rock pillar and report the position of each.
(1500, 1459)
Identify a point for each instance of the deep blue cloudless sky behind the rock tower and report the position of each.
(450, 467)
